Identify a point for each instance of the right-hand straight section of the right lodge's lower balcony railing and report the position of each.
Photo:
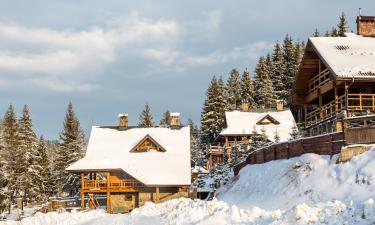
(361, 102)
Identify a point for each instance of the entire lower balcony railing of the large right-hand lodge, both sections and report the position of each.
(355, 102)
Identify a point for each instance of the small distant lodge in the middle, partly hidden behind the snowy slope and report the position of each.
(241, 126)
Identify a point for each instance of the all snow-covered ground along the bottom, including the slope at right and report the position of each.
(310, 189)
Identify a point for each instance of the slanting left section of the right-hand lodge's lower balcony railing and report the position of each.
(325, 111)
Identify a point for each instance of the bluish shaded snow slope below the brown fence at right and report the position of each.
(309, 179)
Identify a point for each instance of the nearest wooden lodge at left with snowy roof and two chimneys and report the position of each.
(133, 165)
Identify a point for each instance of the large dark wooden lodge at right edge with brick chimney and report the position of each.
(335, 87)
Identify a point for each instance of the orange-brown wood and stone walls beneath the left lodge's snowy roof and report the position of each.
(123, 193)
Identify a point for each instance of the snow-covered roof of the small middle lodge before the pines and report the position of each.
(239, 123)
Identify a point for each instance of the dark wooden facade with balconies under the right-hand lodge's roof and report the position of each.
(325, 99)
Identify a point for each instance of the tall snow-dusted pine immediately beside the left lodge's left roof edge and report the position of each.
(70, 149)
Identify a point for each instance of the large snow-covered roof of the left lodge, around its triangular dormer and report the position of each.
(109, 148)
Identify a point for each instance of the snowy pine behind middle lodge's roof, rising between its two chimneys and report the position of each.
(263, 84)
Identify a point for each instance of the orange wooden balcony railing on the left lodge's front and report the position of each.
(112, 184)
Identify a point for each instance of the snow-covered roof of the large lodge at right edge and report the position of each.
(348, 57)
